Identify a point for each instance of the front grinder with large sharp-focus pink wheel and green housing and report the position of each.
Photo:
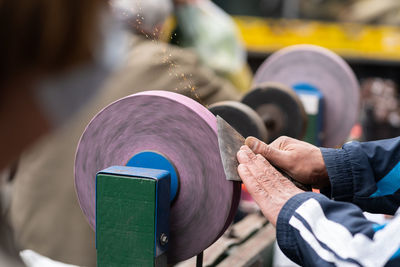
(150, 180)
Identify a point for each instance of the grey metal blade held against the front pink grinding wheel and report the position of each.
(229, 141)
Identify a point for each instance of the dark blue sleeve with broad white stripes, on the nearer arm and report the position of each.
(313, 230)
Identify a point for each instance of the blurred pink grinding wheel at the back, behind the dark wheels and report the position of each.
(327, 72)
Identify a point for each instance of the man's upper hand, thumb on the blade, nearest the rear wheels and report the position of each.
(301, 160)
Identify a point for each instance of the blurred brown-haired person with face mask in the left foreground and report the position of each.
(43, 42)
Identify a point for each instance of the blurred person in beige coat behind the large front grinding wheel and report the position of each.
(45, 213)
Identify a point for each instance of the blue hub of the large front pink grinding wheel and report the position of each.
(155, 160)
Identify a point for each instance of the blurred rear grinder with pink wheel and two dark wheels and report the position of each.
(302, 91)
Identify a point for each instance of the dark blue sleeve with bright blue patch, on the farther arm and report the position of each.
(366, 174)
